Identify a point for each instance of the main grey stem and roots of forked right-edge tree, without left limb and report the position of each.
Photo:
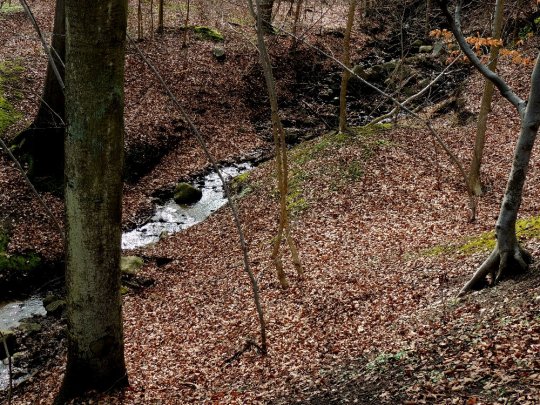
(508, 257)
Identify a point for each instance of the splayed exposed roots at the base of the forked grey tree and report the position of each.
(499, 265)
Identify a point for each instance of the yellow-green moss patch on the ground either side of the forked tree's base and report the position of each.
(526, 228)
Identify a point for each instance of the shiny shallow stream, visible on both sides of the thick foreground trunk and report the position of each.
(168, 218)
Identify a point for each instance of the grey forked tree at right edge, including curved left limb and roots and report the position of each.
(508, 257)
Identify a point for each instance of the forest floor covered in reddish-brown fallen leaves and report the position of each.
(380, 219)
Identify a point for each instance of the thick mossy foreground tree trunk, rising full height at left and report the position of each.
(96, 34)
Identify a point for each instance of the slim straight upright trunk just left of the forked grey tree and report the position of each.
(485, 107)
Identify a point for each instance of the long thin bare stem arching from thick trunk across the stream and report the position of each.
(202, 143)
